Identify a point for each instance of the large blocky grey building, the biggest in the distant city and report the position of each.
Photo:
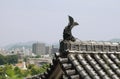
(38, 48)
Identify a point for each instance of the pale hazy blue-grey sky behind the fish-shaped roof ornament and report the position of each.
(44, 20)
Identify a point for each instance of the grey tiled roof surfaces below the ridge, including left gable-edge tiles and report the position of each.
(87, 66)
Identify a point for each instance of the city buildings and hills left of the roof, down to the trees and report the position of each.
(37, 53)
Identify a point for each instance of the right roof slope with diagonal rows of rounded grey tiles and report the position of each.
(94, 66)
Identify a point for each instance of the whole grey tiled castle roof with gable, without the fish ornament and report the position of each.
(77, 64)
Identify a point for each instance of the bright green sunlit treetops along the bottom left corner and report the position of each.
(17, 73)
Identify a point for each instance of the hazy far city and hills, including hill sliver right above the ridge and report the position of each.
(33, 49)
